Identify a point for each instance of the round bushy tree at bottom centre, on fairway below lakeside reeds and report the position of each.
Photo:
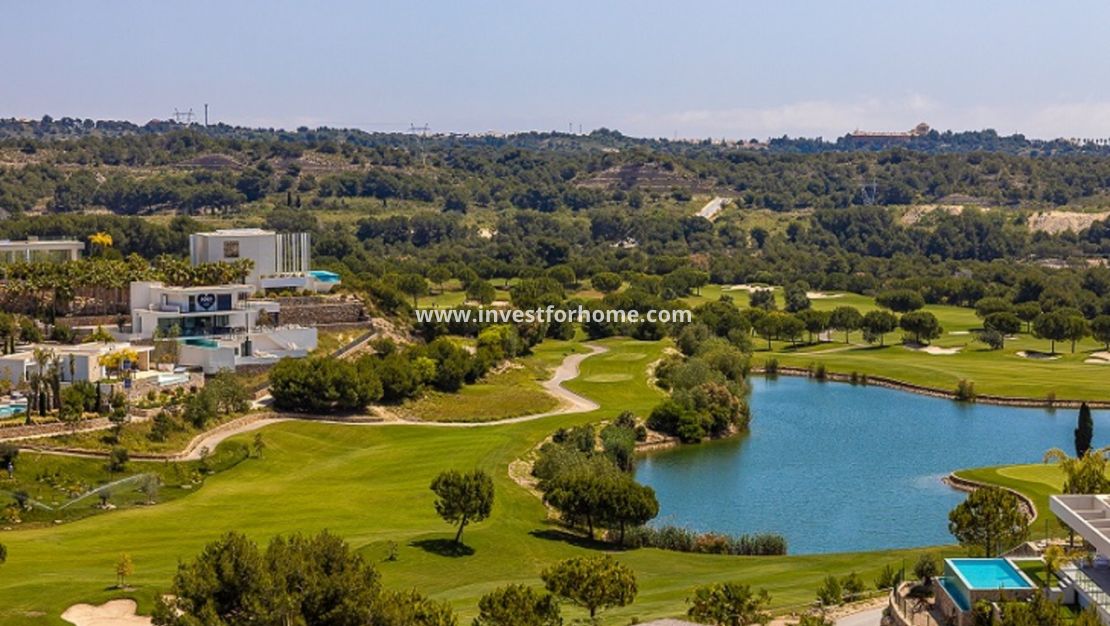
(592, 583)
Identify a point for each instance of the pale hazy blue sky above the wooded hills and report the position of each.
(648, 68)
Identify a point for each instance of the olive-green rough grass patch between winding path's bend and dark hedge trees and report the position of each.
(508, 395)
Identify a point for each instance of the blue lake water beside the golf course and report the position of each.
(837, 468)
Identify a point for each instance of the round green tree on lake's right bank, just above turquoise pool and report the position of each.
(991, 519)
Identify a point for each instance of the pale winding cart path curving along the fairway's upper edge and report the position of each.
(570, 403)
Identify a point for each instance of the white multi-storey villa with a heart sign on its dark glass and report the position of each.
(220, 328)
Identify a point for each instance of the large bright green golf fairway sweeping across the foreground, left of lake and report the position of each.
(370, 486)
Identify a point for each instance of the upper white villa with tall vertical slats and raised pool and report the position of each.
(281, 260)
